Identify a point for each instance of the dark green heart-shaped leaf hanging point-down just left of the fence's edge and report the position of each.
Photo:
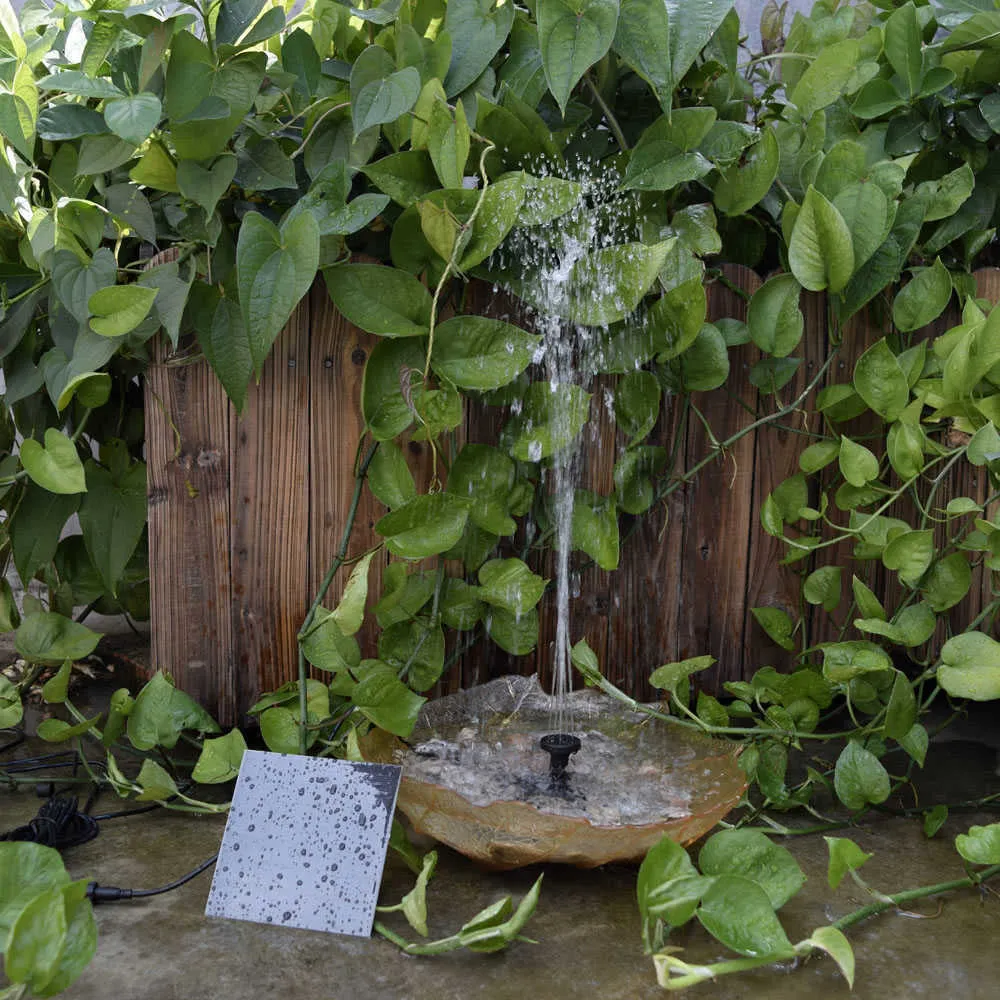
(113, 516)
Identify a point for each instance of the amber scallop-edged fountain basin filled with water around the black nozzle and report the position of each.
(500, 723)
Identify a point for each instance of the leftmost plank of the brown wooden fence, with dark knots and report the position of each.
(188, 471)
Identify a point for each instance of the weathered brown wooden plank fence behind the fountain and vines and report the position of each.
(245, 514)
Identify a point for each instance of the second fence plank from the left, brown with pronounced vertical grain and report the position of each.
(269, 503)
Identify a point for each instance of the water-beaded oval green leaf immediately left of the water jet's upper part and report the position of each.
(479, 353)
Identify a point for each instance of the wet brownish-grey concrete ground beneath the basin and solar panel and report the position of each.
(586, 925)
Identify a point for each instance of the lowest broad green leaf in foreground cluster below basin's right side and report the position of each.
(738, 913)
